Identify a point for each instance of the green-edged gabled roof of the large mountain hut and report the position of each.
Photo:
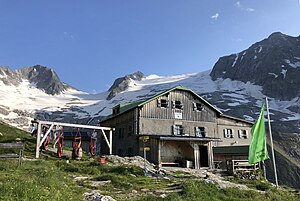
(128, 106)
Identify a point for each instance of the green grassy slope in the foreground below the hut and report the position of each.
(53, 179)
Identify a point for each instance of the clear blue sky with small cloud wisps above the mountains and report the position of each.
(91, 43)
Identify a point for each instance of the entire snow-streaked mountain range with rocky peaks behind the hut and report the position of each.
(236, 85)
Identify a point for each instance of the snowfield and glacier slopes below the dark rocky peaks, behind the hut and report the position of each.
(233, 97)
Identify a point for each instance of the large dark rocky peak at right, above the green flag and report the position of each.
(273, 63)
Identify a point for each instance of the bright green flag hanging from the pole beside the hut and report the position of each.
(258, 146)
